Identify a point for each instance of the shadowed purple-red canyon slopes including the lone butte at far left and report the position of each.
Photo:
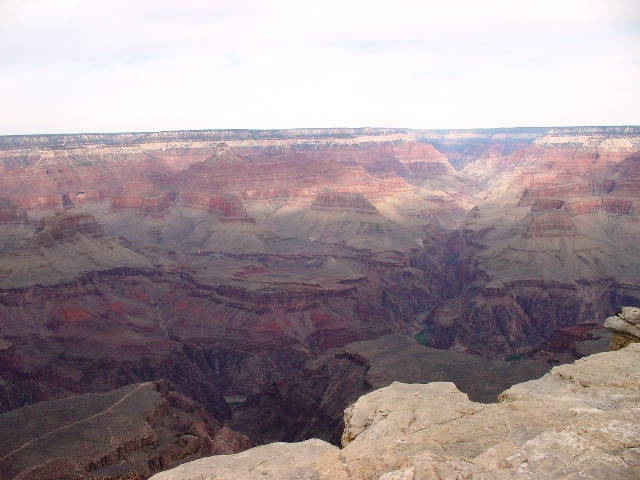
(105, 315)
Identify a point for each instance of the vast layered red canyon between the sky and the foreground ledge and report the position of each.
(201, 292)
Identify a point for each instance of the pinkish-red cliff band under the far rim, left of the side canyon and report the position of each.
(143, 176)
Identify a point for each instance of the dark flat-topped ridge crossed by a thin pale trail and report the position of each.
(131, 432)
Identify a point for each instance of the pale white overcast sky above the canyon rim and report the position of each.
(146, 65)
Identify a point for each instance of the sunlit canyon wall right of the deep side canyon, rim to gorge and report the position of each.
(553, 225)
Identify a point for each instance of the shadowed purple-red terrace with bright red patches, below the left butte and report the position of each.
(107, 328)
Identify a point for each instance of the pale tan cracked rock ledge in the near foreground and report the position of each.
(578, 421)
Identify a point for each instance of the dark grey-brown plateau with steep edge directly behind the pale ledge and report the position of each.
(309, 403)
